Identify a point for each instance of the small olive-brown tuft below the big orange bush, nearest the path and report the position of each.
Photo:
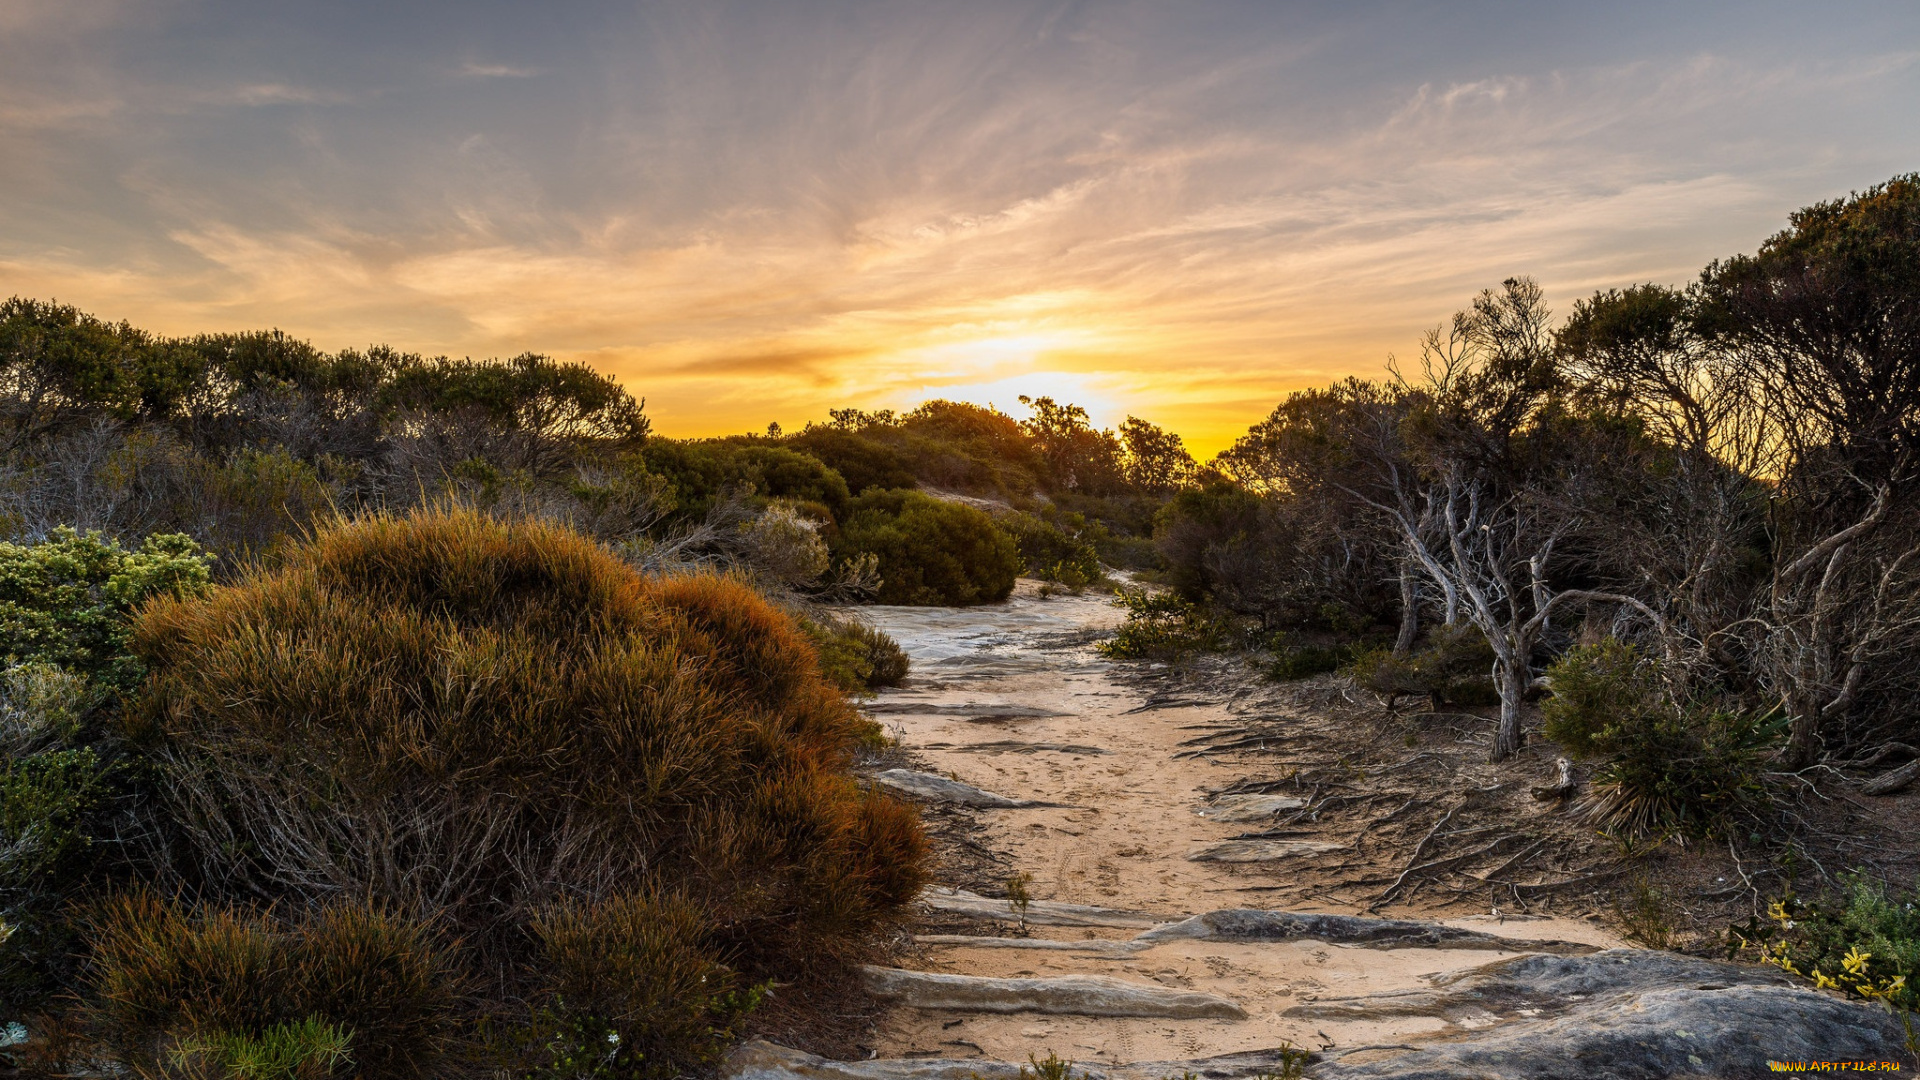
(636, 993)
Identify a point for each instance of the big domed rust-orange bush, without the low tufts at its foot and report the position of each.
(496, 727)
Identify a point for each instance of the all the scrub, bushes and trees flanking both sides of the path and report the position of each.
(348, 693)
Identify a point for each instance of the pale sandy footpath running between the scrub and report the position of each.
(1024, 674)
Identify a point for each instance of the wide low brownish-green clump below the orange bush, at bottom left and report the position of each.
(183, 994)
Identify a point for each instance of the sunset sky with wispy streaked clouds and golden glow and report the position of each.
(756, 212)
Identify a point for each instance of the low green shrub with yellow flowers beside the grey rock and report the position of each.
(1860, 941)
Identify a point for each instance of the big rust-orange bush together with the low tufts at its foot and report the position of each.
(444, 795)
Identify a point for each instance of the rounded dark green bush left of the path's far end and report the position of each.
(930, 552)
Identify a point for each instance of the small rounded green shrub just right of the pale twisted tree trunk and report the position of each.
(1602, 695)
